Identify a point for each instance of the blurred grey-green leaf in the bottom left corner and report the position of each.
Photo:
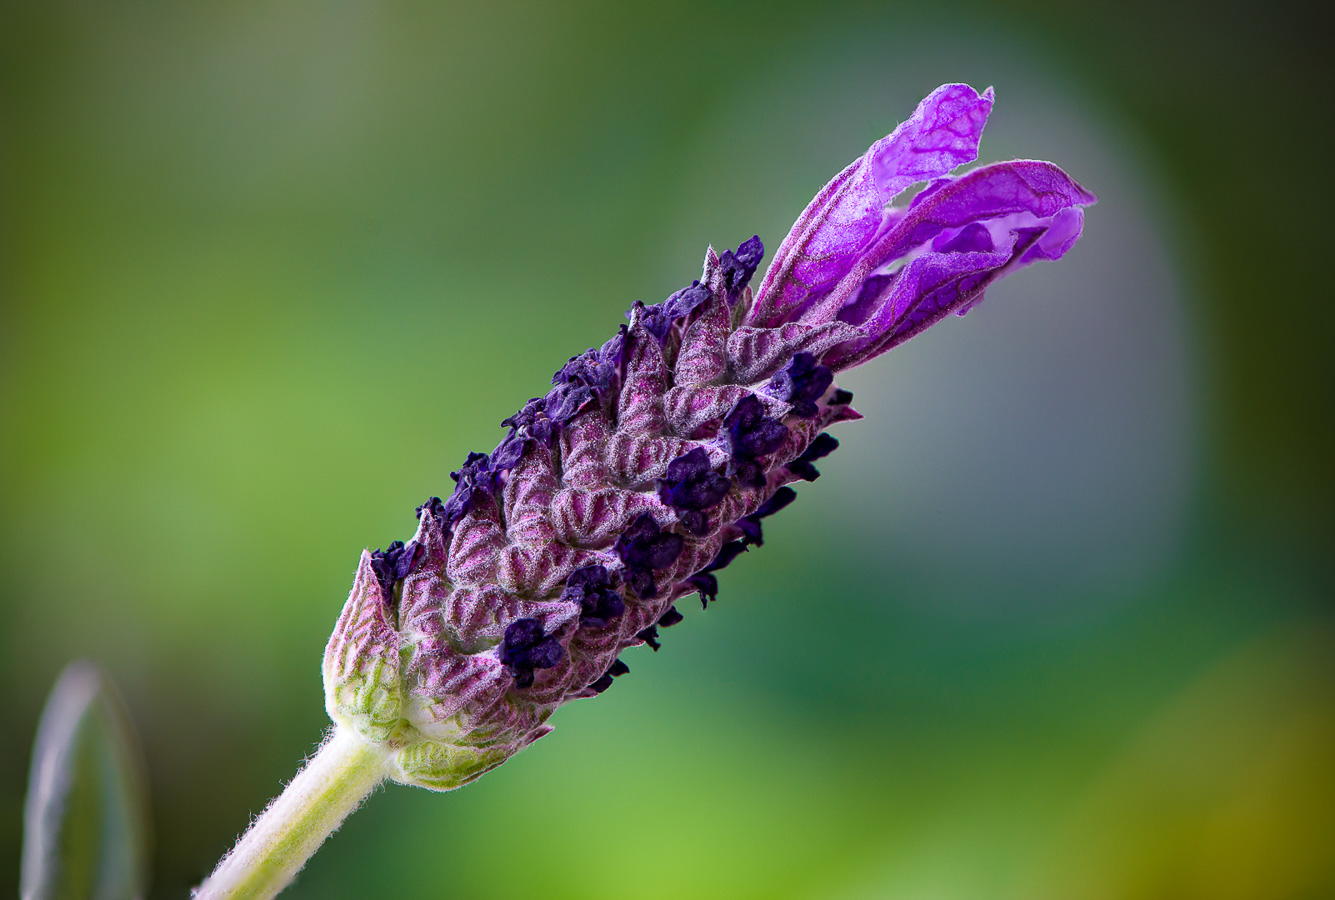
(86, 823)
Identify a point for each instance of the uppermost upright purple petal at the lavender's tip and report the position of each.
(835, 230)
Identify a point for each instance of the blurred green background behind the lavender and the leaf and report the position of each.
(1057, 622)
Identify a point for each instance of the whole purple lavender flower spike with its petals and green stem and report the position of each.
(647, 469)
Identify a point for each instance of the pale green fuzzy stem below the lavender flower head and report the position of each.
(324, 794)
